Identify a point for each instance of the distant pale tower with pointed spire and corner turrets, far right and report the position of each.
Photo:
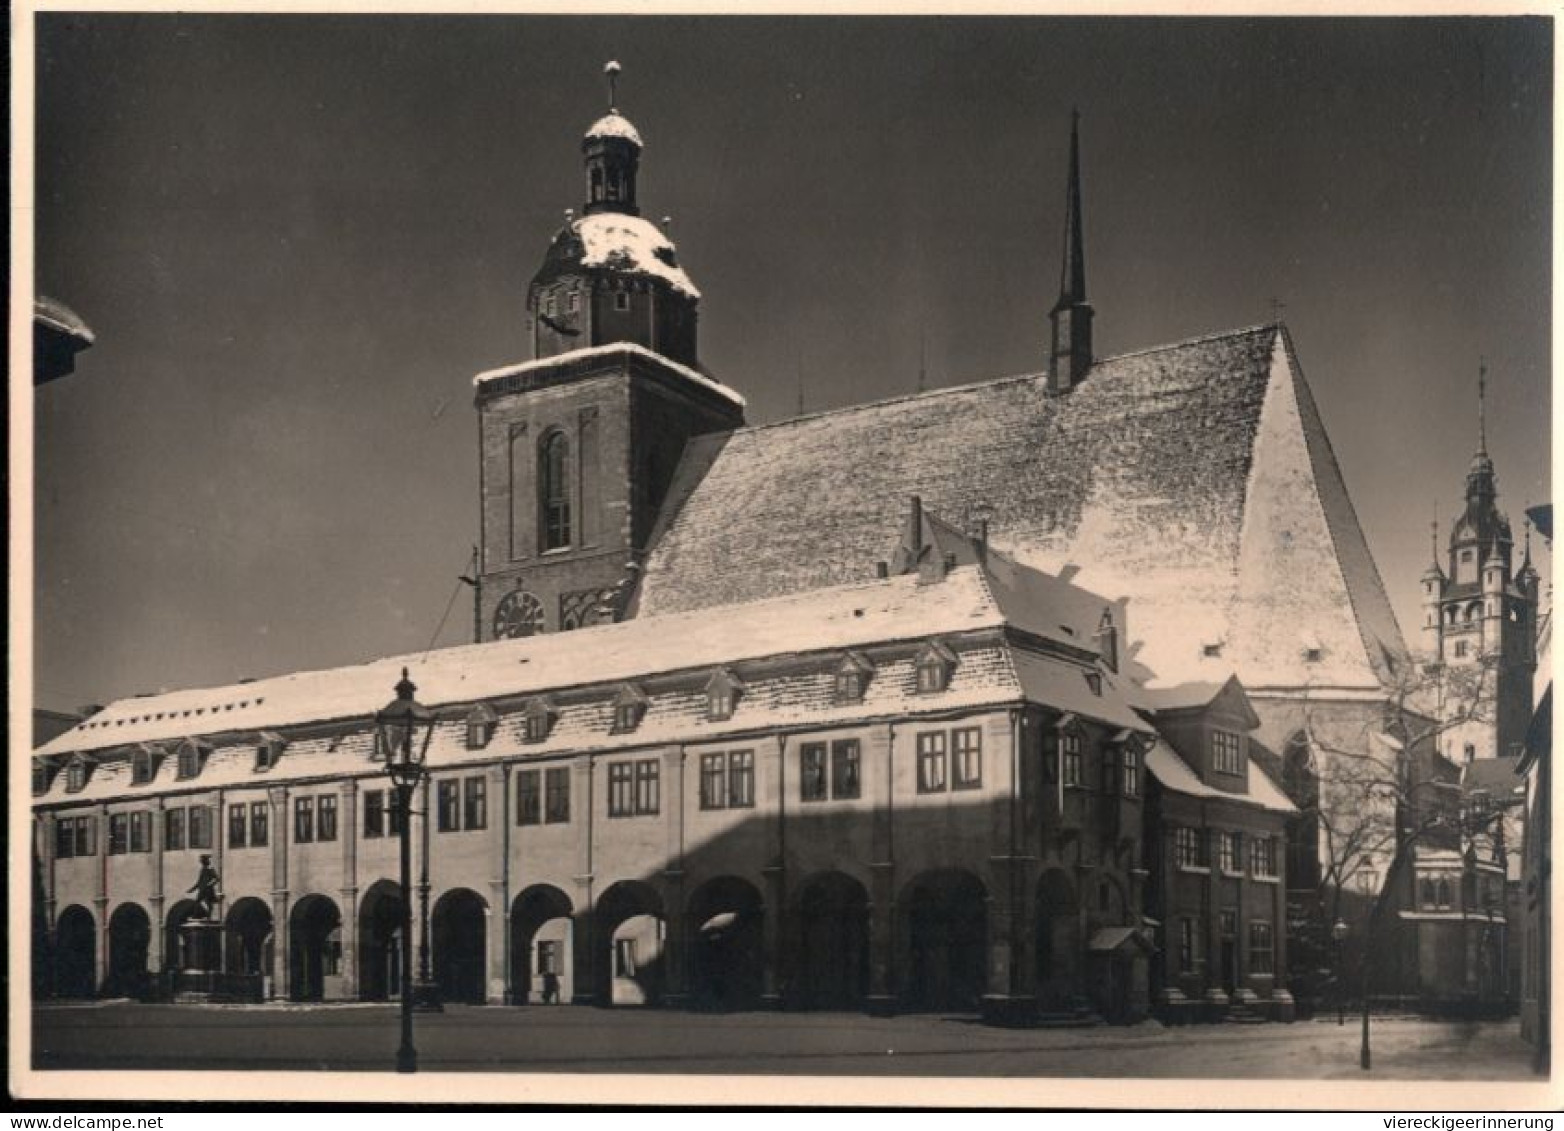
(1480, 616)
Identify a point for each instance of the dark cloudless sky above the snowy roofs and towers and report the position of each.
(298, 239)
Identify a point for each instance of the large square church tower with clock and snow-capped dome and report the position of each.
(579, 447)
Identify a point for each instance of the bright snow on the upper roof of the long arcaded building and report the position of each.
(895, 609)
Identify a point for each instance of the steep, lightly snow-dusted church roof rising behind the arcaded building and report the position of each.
(1193, 479)
